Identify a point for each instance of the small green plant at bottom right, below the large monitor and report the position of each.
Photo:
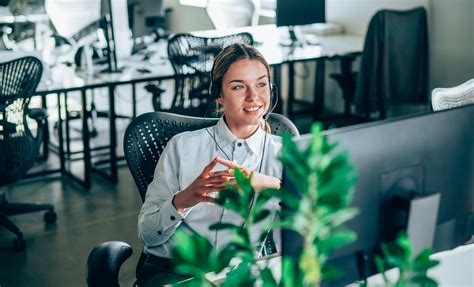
(412, 269)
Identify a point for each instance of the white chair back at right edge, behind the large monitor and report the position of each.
(447, 98)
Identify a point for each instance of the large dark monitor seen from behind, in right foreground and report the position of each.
(435, 152)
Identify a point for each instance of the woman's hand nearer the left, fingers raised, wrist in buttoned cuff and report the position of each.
(198, 191)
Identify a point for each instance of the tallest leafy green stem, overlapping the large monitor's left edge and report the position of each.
(324, 179)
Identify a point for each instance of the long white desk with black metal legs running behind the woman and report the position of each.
(65, 80)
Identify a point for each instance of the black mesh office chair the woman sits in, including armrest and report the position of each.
(144, 141)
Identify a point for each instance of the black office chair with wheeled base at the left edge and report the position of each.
(18, 146)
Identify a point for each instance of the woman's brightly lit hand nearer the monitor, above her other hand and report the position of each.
(259, 181)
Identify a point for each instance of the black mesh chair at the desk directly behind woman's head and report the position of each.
(192, 57)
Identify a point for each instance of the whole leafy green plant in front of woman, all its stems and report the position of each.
(324, 180)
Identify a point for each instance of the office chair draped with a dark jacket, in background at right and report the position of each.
(394, 65)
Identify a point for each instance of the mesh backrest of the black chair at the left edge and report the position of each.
(19, 149)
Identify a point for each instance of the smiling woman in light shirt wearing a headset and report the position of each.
(195, 165)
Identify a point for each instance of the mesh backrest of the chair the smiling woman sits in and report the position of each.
(148, 134)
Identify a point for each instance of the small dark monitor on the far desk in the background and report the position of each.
(299, 12)
